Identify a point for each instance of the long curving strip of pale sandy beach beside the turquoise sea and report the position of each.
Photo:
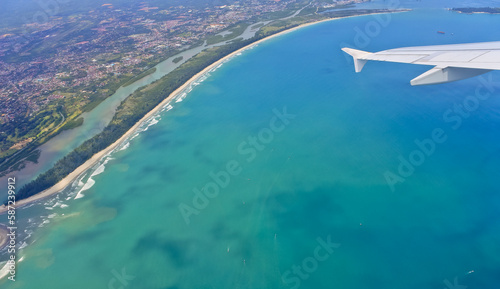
(62, 184)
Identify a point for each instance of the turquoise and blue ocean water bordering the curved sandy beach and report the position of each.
(300, 147)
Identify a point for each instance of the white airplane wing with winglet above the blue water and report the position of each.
(451, 62)
